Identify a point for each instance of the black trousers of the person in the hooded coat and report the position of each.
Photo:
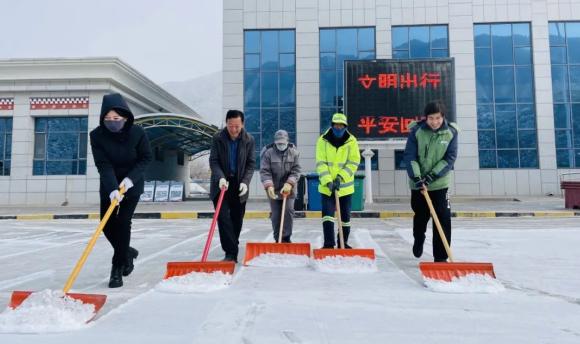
(118, 228)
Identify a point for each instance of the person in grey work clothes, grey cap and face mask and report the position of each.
(279, 173)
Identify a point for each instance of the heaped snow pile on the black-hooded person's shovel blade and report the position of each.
(46, 311)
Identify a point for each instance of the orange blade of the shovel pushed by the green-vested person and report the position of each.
(448, 271)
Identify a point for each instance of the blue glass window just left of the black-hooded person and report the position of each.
(60, 146)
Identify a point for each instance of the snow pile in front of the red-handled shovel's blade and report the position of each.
(195, 282)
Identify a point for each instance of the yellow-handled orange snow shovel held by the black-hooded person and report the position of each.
(96, 300)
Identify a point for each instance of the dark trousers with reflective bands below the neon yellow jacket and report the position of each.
(328, 210)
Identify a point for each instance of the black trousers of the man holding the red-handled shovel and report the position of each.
(230, 219)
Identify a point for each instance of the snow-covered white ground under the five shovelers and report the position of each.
(536, 261)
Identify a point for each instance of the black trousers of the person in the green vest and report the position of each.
(440, 200)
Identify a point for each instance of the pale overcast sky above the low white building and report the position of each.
(166, 40)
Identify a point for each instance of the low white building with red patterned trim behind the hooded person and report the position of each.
(47, 109)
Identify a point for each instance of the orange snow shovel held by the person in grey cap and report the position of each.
(254, 249)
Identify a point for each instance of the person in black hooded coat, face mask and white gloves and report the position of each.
(121, 151)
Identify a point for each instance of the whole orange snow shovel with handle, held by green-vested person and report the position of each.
(446, 271)
